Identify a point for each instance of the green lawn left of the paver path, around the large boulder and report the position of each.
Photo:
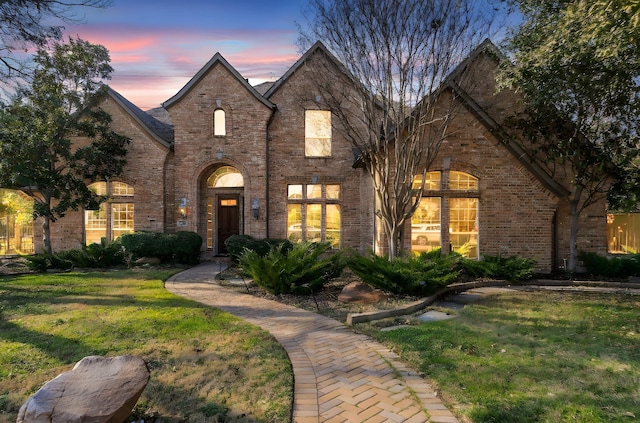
(205, 365)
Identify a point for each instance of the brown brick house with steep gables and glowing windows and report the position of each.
(223, 157)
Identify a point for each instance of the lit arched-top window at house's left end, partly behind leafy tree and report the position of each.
(114, 217)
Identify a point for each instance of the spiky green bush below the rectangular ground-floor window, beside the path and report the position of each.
(301, 269)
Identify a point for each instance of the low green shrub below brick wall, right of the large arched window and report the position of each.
(510, 268)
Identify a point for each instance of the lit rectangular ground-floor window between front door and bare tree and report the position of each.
(313, 213)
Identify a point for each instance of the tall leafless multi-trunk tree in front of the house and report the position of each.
(397, 53)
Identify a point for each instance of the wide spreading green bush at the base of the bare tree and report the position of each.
(416, 275)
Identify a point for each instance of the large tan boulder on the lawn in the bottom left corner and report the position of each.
(97, 390)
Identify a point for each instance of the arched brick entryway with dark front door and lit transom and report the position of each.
(223, 198)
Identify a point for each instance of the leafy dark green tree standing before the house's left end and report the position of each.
(37, 155)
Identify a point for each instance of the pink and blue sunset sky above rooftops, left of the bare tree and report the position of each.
(156, 46)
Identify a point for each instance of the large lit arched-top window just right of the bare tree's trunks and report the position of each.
(449, 220)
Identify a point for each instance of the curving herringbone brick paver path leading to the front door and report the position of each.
(340, 376)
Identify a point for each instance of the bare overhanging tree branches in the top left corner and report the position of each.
(32, 23)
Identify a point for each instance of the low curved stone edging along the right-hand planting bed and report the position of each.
(353, 318)
